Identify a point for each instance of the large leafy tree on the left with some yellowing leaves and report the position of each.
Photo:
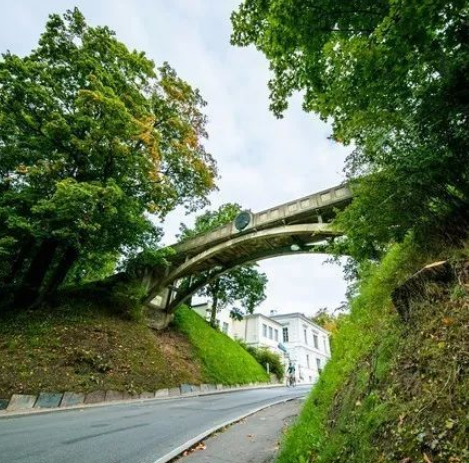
(94, 141)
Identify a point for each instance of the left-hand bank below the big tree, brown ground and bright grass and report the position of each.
(81, 346)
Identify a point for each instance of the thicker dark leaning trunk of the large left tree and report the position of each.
(28, 291)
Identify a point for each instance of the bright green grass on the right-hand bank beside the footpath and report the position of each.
(353, 412)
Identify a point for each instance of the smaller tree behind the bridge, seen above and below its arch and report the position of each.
(243, 284)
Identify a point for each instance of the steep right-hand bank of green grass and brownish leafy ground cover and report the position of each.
(394, 391)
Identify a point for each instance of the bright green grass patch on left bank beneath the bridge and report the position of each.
(223, 360)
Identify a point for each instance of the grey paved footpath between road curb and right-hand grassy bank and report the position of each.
(253, 440)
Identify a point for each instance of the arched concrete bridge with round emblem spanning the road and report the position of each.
(299, 226)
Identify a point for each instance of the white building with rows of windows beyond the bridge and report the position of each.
(307, 344)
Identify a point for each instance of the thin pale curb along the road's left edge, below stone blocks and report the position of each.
(82, 406)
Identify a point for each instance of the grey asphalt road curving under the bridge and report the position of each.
(140, 432)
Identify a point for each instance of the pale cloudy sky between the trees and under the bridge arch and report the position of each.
(263, 161)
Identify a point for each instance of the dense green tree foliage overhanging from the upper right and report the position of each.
(392, 77)
